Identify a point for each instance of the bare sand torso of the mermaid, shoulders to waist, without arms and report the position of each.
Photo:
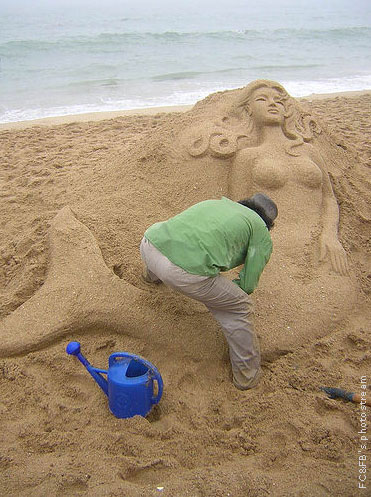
(294, 183)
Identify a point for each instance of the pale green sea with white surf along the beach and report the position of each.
(60, 57)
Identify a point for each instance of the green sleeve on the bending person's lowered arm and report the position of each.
(257, 256)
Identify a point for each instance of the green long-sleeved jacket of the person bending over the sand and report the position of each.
(214, 236)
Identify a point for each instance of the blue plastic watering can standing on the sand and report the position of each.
(130, 382)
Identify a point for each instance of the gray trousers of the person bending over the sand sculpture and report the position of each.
(229, 305)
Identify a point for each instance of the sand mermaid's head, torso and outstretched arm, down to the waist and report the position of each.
(292, 170)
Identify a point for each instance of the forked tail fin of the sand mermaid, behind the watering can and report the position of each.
(80, 295)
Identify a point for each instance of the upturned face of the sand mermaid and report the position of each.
(266, 106)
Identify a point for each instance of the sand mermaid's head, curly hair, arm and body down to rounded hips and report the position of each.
(265, 139)
